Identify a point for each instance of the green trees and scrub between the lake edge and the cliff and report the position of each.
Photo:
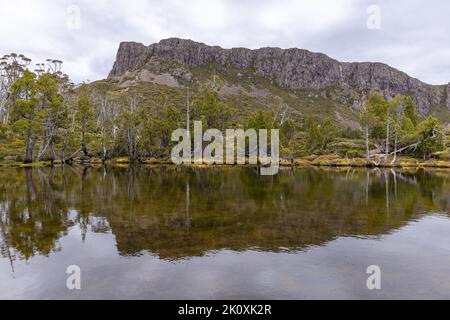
(46, 119)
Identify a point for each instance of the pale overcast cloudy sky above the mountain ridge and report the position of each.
(411, 35)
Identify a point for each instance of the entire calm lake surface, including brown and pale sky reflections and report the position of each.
(224, 233)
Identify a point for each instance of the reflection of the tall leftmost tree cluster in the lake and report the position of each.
(33, 213)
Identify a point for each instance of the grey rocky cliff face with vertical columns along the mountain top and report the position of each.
(289, 68)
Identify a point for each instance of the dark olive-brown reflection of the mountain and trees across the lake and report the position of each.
(182, 212)
